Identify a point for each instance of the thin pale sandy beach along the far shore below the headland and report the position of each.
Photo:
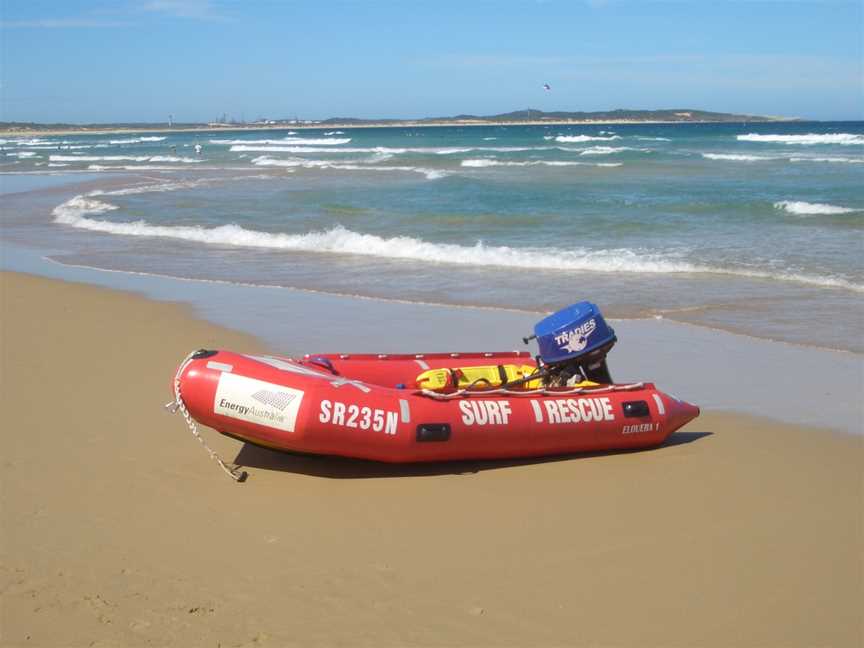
(407, 124)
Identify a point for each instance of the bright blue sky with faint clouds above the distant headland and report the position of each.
(141, 60)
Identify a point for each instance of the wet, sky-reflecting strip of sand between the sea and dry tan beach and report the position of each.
(710, 367)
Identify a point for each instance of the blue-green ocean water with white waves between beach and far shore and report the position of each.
(752, 228)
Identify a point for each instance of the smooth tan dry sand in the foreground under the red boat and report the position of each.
(117, 530)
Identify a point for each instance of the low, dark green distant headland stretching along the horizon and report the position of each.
(529, 116)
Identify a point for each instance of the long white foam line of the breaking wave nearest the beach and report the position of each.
(78, 212)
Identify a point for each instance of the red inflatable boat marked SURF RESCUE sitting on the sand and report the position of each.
(430, 407)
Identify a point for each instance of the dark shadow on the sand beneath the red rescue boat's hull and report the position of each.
(252, 456)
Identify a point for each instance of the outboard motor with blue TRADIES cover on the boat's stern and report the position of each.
(573, 344)
